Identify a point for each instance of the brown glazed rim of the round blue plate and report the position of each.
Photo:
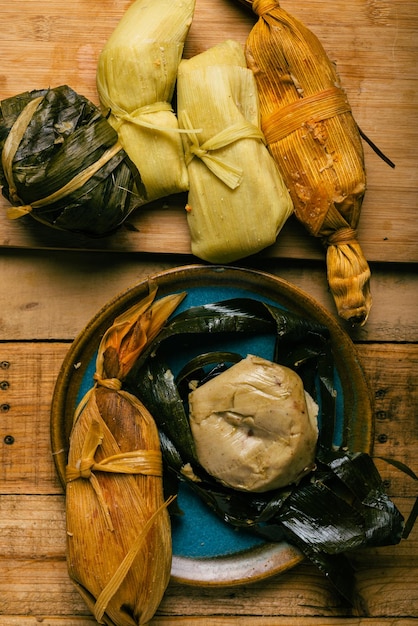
(253, 567)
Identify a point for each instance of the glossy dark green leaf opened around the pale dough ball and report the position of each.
(339, 507)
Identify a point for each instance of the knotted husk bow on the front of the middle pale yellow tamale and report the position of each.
(228, 173)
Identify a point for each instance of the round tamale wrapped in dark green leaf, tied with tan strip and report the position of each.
(62, 163)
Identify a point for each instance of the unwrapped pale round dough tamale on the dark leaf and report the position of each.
(254, 426)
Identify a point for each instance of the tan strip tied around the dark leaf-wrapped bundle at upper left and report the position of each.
(11, 145)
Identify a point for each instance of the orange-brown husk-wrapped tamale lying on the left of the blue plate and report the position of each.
(118, 529)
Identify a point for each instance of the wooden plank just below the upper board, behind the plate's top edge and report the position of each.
(60, 292)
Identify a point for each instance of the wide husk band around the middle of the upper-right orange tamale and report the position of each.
(317, 107)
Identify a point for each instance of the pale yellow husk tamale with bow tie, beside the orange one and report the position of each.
(237, 200)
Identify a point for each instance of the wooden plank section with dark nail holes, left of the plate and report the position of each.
(28, 375)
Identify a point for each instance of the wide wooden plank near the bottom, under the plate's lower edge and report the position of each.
(34, 580)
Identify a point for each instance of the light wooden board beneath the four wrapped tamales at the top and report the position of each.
(373, 42)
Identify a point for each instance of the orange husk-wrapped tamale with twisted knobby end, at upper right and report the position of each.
(312, 135)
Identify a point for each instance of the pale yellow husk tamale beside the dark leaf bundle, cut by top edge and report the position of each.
(136, 75)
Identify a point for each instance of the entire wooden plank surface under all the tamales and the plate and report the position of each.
(52, 284)
